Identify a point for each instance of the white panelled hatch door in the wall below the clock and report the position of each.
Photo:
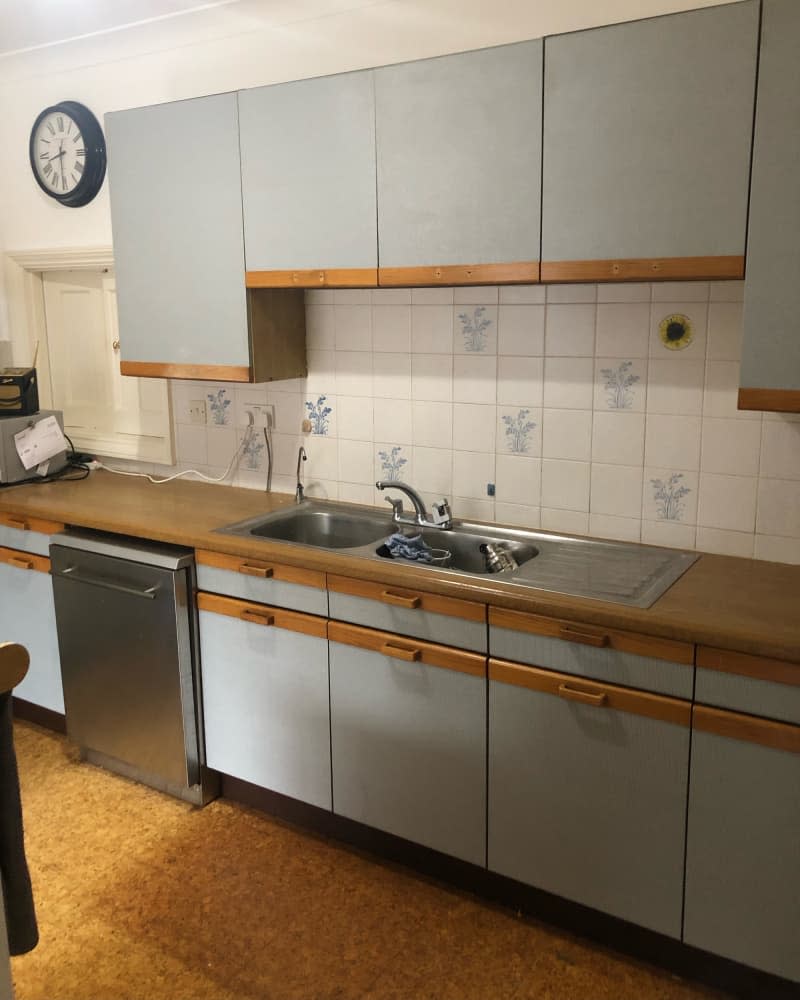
(104, 411)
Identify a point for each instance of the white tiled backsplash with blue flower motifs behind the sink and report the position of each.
(563, 398)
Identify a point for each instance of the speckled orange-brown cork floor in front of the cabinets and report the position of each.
(141, 897)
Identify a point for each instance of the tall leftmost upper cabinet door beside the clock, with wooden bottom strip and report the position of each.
(176, 210)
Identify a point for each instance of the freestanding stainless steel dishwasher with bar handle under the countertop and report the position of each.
(127, 635)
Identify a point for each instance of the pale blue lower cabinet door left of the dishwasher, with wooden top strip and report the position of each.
(27, 616)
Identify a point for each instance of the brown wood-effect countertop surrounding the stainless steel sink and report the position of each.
(741, 604)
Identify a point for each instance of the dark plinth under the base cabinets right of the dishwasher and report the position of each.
(690, 963)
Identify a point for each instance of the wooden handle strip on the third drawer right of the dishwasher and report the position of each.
(625, 642)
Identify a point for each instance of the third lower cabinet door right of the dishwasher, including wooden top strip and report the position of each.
(587, 792)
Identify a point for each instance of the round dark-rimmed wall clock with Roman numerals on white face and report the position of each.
(67, 151)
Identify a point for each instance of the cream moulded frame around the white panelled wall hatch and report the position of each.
(23, 271)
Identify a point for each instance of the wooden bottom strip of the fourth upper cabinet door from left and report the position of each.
(643, 269)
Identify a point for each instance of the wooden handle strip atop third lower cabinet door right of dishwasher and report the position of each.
(650, 706)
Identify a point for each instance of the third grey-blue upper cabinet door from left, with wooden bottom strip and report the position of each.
(459, 161)
